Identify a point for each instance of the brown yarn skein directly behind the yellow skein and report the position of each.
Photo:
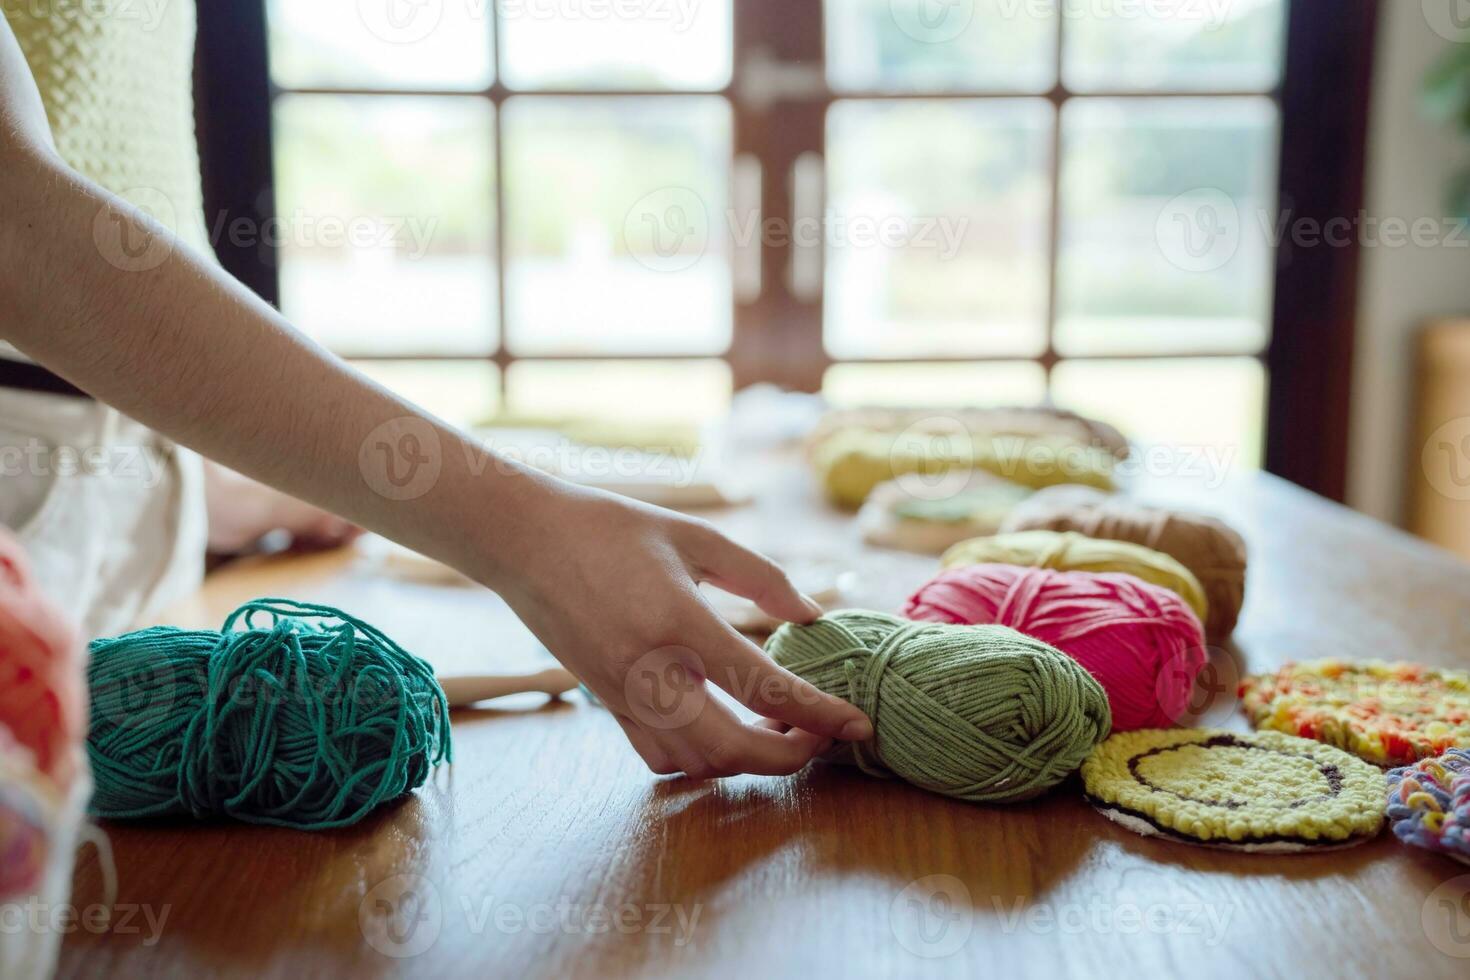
(1208, 547)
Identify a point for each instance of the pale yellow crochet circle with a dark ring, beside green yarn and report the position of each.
(1266, 791)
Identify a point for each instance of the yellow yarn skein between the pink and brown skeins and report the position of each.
(1071, 552)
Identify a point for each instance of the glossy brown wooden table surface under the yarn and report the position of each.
(548, 850)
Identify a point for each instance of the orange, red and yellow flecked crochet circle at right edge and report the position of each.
(1391, 715)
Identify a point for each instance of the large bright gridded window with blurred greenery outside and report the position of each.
(577, 205)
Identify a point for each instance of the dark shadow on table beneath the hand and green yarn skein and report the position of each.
(831, 829)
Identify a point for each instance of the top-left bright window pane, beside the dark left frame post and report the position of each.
(380, 43)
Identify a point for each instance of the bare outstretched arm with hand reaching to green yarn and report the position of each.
(606, 584)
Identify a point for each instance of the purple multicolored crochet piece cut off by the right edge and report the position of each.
(1430, 804)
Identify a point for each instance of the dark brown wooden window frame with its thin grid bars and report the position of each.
(777, 336)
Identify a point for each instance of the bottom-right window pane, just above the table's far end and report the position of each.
(1211, 409)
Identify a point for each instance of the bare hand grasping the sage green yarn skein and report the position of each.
(611, 587)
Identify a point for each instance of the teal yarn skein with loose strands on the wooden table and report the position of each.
(292, 715)
